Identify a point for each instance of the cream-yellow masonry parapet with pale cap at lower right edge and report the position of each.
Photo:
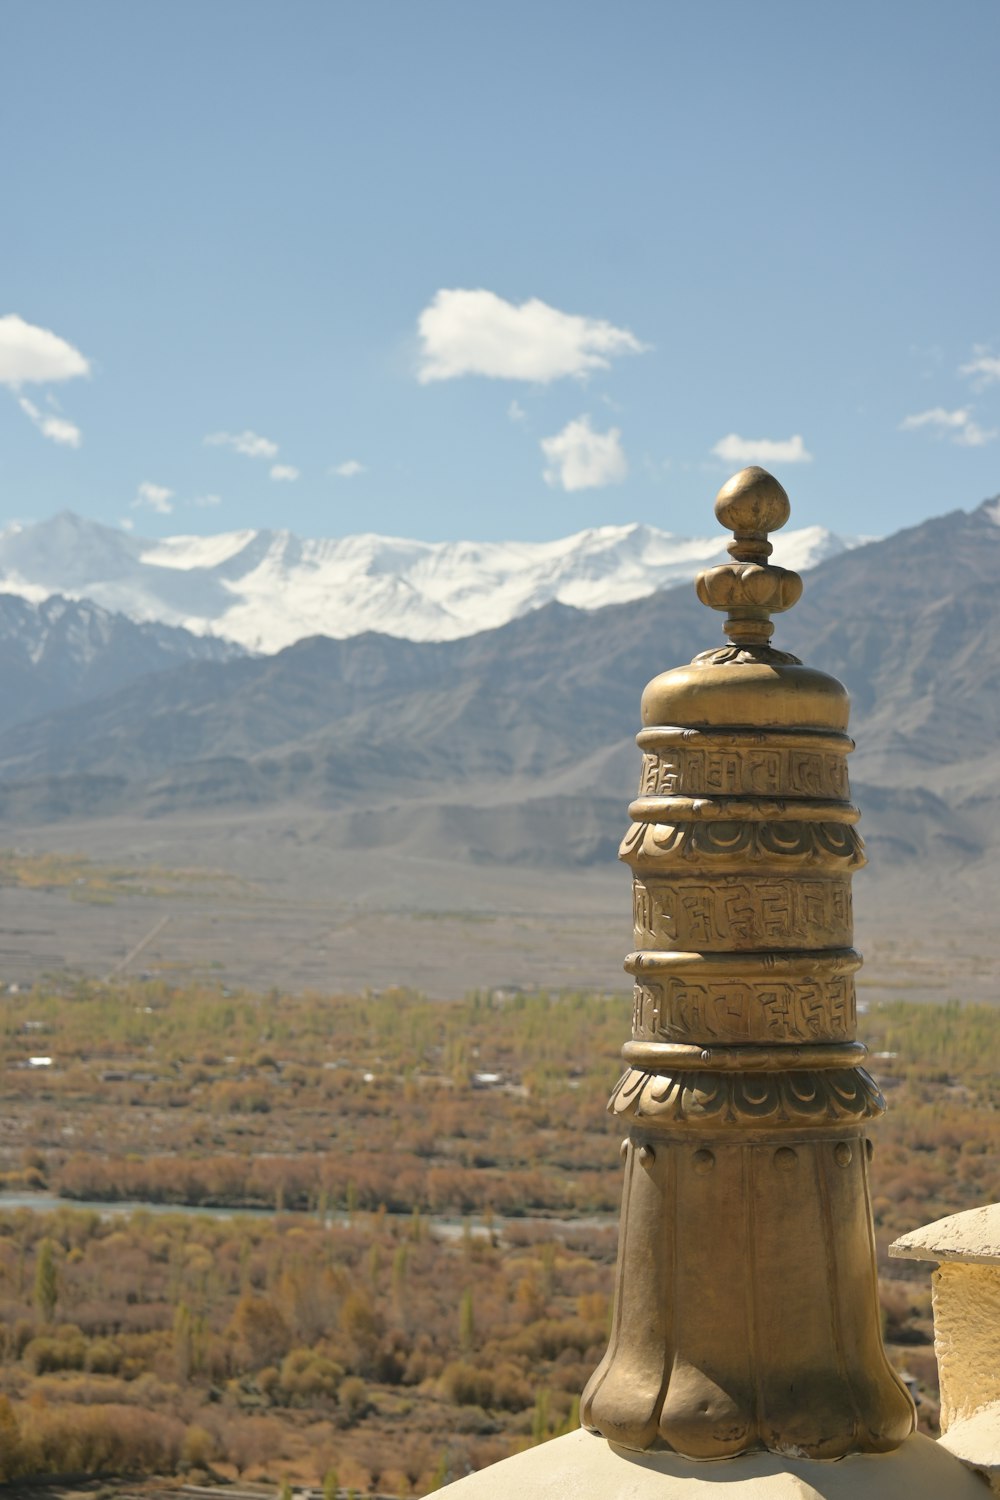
(966, 1291)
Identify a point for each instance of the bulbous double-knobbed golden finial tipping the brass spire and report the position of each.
(750, 589)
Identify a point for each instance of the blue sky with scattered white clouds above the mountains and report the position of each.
(497, 269)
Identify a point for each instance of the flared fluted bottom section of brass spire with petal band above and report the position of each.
(747, 1306)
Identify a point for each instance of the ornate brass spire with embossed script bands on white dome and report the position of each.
(747, 1310)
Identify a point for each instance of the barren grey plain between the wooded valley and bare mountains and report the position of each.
(271, 899)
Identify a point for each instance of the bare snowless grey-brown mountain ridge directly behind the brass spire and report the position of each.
(515, 745)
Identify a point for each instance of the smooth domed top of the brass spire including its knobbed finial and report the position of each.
(749, 683)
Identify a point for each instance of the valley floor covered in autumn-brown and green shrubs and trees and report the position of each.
(407, 1268)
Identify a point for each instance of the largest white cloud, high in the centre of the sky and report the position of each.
(481, 334)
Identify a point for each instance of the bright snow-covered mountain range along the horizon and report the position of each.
(271, 589)
